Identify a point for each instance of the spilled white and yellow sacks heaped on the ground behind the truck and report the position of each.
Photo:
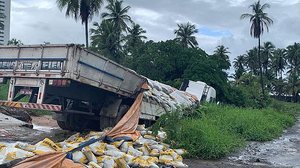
(147, 151)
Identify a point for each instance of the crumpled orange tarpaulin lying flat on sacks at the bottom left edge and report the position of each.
(49, 160)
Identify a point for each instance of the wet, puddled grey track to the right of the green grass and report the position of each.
(284, 151)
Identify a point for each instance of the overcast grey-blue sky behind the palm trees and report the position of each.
(38, 21)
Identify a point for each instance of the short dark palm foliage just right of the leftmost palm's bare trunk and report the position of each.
(105, 40)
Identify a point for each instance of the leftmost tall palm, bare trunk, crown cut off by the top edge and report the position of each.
(83, 9)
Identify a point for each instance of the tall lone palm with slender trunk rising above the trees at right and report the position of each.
(259, 21)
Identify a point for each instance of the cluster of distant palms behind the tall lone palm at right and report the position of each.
(281, 67)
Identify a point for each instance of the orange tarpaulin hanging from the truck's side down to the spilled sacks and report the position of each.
(129, 122)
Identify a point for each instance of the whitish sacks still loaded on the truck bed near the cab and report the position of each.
(168, 96)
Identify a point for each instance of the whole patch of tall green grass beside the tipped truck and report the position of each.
(213, 131)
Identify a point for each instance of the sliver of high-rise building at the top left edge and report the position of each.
(4, 21)
